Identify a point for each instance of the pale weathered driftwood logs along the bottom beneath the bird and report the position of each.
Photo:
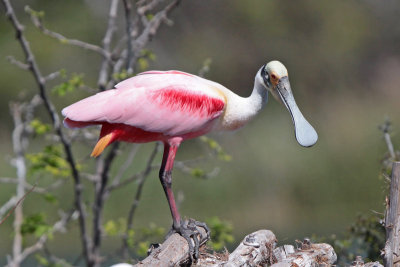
(256, 249)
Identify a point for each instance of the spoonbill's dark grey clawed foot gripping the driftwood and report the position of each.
(190, 230)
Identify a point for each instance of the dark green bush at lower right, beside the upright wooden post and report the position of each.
(365, 237)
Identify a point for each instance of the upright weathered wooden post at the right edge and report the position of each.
(392, 220)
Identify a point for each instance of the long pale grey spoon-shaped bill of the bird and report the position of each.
(305, 133)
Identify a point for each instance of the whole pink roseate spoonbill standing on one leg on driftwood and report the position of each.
(171, 106)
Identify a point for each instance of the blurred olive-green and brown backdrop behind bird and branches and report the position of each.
(343, 59)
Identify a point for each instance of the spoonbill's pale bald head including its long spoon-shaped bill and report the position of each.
(275, 79)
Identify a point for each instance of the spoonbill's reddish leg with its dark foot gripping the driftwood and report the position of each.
(188, 229)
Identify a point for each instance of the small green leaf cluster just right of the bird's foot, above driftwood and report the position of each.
(221, 233)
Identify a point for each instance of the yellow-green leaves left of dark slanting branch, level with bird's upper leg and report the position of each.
(50, 160)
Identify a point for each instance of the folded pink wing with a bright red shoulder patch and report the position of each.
(171, 102)
